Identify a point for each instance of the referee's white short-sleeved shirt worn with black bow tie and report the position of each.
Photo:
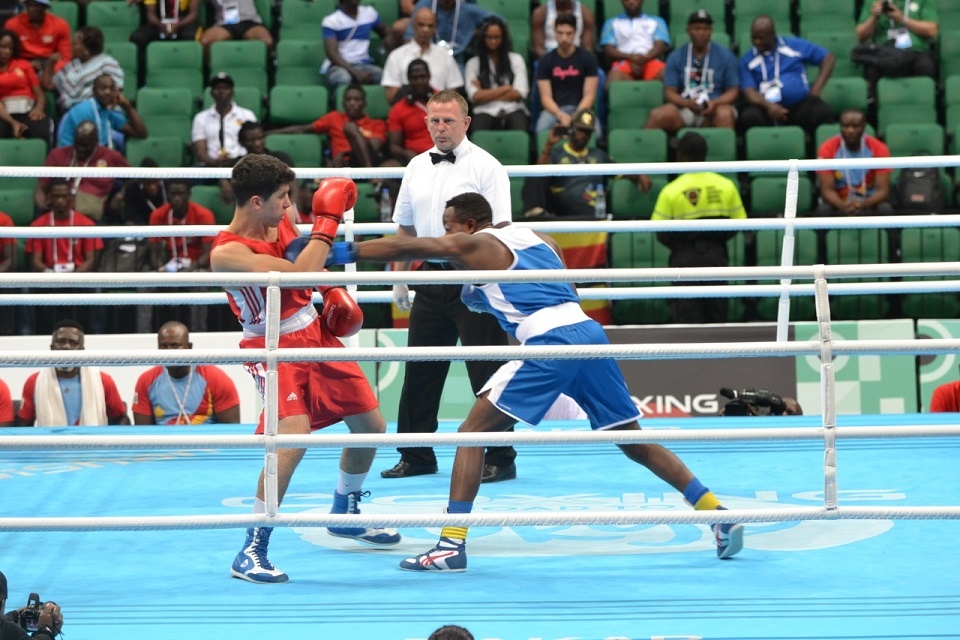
(426, 187)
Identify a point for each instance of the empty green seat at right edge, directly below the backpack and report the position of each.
(930, 244)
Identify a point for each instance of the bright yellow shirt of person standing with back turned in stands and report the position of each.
(699, 195)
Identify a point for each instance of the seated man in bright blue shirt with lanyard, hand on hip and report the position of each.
(773, 78)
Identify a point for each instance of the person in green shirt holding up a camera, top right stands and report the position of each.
(904, 31)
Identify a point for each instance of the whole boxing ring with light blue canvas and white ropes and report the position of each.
(849, 519)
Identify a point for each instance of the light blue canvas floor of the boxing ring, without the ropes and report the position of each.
(793, 580)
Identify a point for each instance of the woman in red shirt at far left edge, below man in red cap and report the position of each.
(22, 100)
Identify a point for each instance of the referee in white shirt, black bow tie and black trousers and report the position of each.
(438, 318)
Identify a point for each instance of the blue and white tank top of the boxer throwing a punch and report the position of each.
(525, 309)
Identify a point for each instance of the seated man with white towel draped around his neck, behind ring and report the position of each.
(70, 395)
